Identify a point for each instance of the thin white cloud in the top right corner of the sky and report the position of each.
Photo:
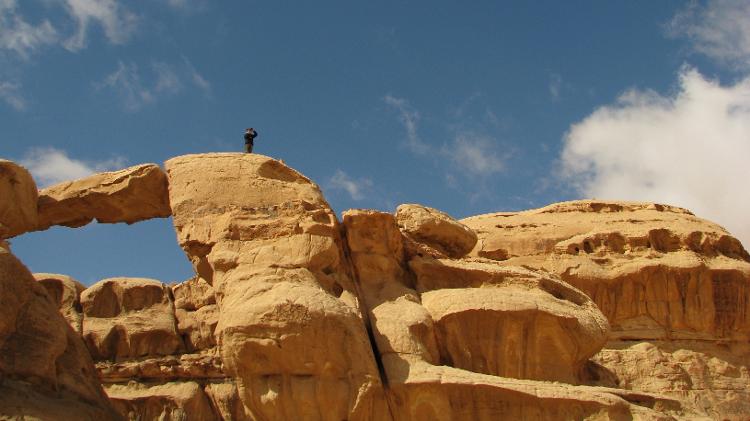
(720, 30)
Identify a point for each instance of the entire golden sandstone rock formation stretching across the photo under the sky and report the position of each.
(580, 310)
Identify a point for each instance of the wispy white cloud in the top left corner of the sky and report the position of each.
(20, 36)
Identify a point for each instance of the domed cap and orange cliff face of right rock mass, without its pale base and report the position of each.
(656, 271)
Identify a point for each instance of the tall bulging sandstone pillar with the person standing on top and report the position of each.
(290, 329)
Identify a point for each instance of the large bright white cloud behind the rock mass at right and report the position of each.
(690, 149)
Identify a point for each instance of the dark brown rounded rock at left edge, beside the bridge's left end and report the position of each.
(18, 197)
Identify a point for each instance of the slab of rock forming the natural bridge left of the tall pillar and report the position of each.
(130, 195)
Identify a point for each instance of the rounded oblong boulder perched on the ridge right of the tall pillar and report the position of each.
(436, 229)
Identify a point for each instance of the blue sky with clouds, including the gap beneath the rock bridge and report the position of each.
(469, 109)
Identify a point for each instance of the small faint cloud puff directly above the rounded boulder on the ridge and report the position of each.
(474, 155)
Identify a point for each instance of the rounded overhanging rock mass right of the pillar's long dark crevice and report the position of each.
(481, 320)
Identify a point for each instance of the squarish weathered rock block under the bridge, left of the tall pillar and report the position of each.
(129, 317)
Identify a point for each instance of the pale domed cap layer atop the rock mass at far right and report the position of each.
(635, 225)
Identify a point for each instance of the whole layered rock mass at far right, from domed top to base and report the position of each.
(675, 289)
